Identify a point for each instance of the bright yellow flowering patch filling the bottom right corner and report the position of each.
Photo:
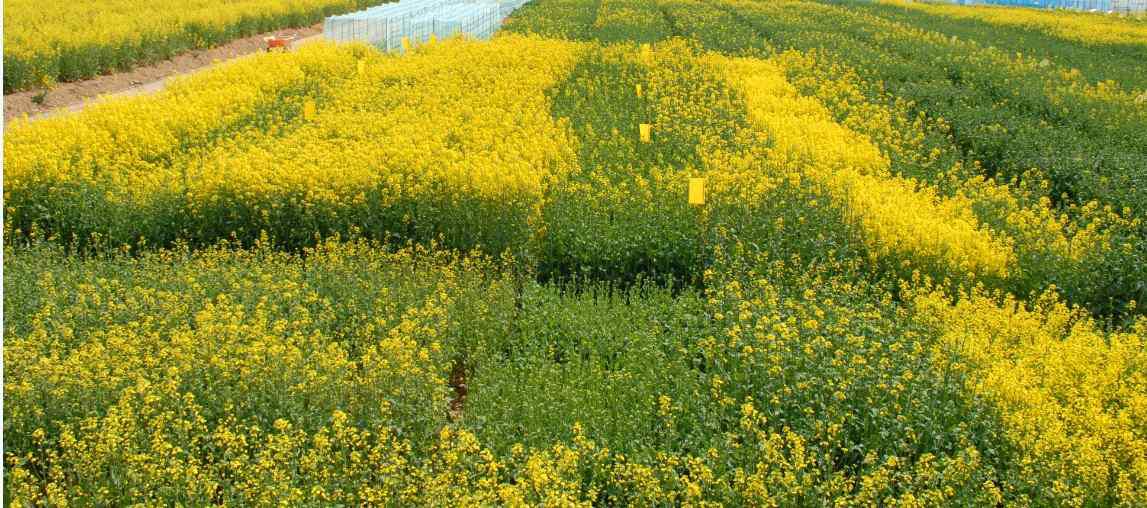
(1073, 397)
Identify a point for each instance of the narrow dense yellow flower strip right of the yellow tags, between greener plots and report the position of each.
(900, 217)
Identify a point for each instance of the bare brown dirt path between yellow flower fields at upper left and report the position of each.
(74, 97)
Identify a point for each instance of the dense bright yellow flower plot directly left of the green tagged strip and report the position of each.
(450, 129)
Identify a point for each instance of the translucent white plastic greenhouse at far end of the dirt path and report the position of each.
(417, 20)
